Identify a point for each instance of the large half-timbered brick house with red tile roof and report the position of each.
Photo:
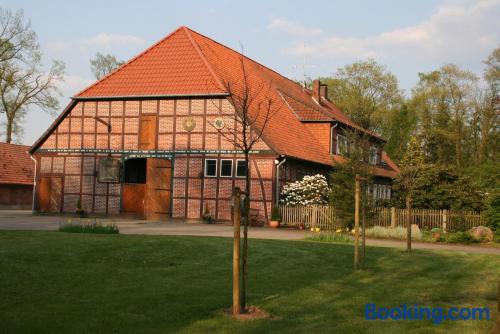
(148, 140)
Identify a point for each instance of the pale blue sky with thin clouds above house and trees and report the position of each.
(295, 38)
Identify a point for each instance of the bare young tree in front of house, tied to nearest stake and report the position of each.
(254, 107)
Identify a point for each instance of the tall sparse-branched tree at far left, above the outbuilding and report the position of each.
(23, 81)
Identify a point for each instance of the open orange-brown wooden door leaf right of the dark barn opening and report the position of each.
(158, 189)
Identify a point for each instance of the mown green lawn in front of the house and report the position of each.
(60, 282)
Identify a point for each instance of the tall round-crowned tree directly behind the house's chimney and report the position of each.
(367, 92)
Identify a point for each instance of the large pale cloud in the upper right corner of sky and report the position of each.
(452, 32)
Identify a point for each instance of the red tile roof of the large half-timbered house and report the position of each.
(188, 63)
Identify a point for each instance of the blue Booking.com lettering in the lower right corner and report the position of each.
(436, 314)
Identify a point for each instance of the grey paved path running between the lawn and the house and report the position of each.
(24, 220)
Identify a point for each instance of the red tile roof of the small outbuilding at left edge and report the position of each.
(16, 166)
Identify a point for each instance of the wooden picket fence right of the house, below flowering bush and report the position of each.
(323, 216)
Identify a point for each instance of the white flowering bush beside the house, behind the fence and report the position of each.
(310, 190)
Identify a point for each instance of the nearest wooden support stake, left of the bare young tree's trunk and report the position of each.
(236, 251)
